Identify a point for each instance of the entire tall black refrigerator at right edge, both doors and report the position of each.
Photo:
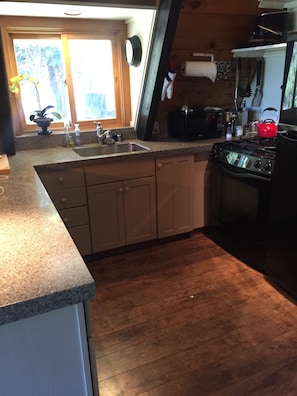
(281, 253)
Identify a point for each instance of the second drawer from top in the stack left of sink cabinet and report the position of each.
(69, 198)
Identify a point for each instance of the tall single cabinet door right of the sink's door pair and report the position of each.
(174, 195)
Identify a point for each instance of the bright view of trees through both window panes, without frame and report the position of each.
(90, 78)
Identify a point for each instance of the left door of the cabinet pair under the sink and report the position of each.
(106, 211)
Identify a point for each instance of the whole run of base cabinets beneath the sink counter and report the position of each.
(122, 203)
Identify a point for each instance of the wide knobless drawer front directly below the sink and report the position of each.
(108, 173)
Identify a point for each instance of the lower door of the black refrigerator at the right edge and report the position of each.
(281, 251)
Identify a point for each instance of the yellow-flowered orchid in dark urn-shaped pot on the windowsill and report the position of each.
(42, 117)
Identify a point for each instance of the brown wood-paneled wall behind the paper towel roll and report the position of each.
(209, 26)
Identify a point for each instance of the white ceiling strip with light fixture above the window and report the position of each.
(58, 11)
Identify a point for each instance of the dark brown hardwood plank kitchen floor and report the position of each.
(187, 319)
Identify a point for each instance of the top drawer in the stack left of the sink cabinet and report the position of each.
(57, 180)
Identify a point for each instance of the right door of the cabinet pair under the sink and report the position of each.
(140, 209)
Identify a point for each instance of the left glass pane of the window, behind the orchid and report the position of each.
(43, 60)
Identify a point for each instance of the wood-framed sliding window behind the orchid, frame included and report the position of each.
(81, 74)
